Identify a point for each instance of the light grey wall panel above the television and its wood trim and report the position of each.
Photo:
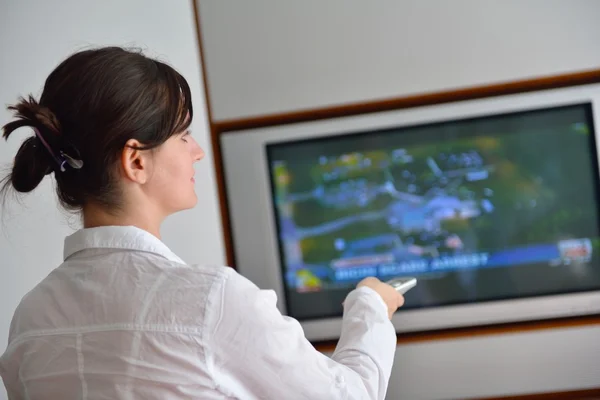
(264, 56)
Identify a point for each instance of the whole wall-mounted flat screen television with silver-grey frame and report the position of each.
(491, 204)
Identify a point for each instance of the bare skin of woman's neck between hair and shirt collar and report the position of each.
(95, 216)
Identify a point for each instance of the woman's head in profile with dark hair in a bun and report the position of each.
(112, 126)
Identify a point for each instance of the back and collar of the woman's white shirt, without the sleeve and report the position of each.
(122, 317)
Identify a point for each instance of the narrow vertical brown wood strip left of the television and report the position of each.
(216, 150)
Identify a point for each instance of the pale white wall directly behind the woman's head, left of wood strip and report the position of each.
(34, 37)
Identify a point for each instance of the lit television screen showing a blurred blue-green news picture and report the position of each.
(481, 209)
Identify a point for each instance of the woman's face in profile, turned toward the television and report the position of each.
(171, 183)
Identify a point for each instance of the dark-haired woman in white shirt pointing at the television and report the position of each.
(124, 317)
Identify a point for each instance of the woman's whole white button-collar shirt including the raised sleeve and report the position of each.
(125, 318)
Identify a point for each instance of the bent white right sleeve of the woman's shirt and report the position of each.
(258, 353)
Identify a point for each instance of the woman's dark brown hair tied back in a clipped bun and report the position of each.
(92, 104)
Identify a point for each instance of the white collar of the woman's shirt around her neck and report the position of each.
(117, 237)
